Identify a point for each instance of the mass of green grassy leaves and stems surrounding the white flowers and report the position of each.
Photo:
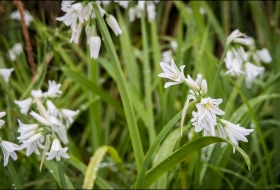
(126, 111)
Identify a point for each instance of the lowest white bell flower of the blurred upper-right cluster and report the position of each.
(251, 72)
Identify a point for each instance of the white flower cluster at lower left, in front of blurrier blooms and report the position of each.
(33, 136)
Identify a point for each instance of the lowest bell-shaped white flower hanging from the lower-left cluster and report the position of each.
(57, 151)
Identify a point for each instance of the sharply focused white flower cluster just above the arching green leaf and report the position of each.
(205, 118)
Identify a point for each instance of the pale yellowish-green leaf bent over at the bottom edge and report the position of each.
(92, 168)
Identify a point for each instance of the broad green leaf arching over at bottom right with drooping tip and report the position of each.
(181, 154)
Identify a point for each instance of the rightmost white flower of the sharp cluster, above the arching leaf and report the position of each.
(233, 132)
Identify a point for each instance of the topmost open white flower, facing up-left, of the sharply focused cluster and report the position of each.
(171, 72)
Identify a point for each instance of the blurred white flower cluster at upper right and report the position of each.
(240, 62)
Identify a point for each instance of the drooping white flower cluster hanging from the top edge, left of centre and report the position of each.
(78, 13)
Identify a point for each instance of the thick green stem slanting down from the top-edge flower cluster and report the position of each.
(122, 86)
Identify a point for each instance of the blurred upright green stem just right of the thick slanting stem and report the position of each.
(147, 81)
